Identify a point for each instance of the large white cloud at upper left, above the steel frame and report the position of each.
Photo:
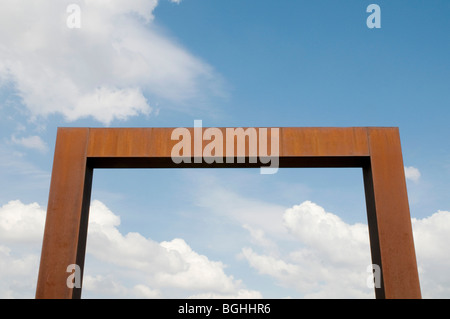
(112, 67)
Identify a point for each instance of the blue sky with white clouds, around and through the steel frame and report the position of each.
(223, 233)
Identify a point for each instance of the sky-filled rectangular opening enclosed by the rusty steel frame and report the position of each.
(300, 233)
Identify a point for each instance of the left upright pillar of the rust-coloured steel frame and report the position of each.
(66, 224)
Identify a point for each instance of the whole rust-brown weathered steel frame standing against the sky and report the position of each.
(376, 150)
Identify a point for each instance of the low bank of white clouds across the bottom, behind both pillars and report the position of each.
(329, 260)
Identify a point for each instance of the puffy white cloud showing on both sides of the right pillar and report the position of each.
(333, 256)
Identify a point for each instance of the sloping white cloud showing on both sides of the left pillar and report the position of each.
(118, 265)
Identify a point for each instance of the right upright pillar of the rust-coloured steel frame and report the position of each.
(390, 228)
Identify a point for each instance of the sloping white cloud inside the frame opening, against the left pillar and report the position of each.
(155, 267)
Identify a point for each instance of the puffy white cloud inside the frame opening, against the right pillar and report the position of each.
(330, 262)
